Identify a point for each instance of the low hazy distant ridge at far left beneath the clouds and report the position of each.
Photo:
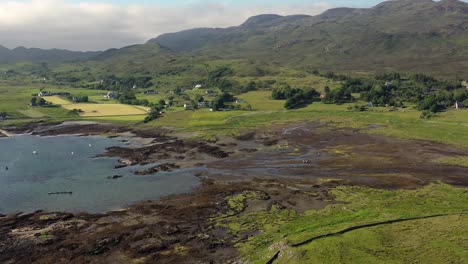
(43, 55)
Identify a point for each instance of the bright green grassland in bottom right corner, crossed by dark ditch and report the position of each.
(441, 238)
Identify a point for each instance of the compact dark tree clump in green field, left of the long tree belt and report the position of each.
(295, 97)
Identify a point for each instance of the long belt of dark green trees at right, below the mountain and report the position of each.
(392, 89)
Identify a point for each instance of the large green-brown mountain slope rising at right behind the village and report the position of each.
(414, 35)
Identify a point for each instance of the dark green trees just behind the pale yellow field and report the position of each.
(124, 84)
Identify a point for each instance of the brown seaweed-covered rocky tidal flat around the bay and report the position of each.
(289, 167)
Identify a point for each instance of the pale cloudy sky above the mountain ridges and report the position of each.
(99, 26)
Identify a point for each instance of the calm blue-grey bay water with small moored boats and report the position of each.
(29, 178)
